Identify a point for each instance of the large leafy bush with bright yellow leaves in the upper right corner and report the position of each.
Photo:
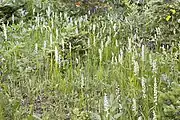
(154, 21)
